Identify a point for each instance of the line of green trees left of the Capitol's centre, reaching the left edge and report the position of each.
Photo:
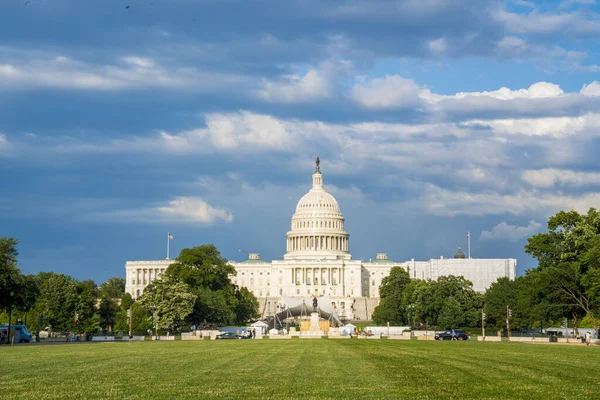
(196, 290)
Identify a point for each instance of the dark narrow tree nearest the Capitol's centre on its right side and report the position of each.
(392, 307)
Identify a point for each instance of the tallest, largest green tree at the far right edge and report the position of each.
(568, 263)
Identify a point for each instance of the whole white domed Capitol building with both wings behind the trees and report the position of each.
(318, 262)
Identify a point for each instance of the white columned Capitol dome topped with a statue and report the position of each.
(317, 229)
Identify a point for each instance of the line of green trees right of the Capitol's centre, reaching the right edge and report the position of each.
(565, 285)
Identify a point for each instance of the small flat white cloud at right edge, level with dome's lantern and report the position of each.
(550, 177)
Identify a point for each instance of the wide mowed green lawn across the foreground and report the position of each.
(302, 369)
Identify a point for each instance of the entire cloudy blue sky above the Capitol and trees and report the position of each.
(203, 118)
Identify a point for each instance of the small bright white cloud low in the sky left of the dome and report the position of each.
(184, 210)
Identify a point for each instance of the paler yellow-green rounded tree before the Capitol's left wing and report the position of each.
(171, 302)
